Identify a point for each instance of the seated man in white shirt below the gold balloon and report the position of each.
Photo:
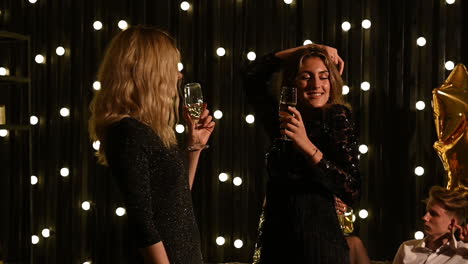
(446, 214)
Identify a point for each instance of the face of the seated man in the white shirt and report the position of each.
(436, 220)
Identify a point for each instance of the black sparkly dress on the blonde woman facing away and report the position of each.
(154, 184)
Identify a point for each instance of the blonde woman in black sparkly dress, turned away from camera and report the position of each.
(133, 115)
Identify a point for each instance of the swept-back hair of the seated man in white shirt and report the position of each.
(455, 201)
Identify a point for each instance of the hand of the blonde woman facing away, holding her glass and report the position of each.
(199, 129)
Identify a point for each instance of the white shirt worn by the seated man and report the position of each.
(416, 252)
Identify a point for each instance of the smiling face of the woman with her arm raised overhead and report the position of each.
(313, 82)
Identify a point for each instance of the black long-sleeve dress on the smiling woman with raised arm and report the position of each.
(301, 224)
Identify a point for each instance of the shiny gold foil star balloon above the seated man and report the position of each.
(450, 105)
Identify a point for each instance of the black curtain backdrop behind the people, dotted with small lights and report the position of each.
(399, 136)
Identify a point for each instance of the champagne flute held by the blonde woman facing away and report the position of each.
(194, 101)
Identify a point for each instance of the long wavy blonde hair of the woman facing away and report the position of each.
(138, 78)
